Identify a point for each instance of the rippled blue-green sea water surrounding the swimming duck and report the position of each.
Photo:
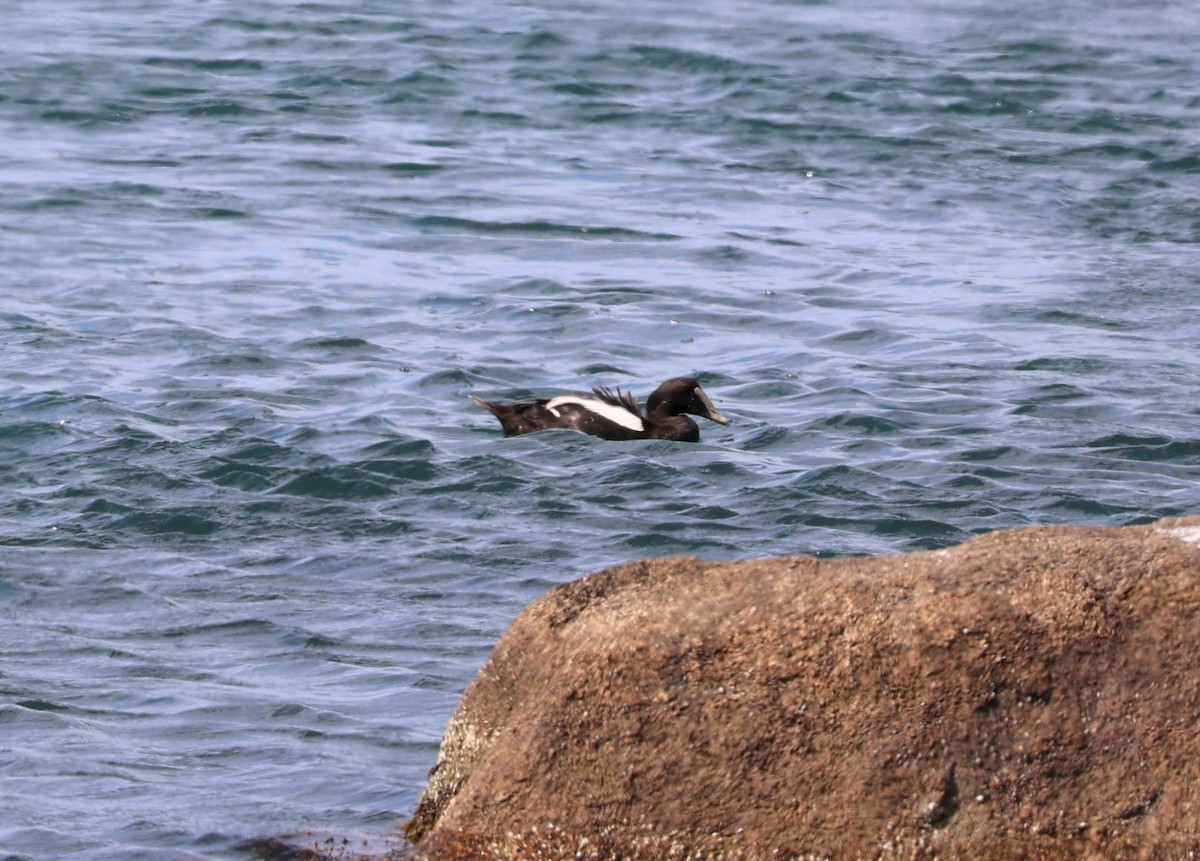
(937, 262)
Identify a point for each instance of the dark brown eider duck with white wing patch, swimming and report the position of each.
(614, 414)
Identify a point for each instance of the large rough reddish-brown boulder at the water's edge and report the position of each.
(1030, 694)
